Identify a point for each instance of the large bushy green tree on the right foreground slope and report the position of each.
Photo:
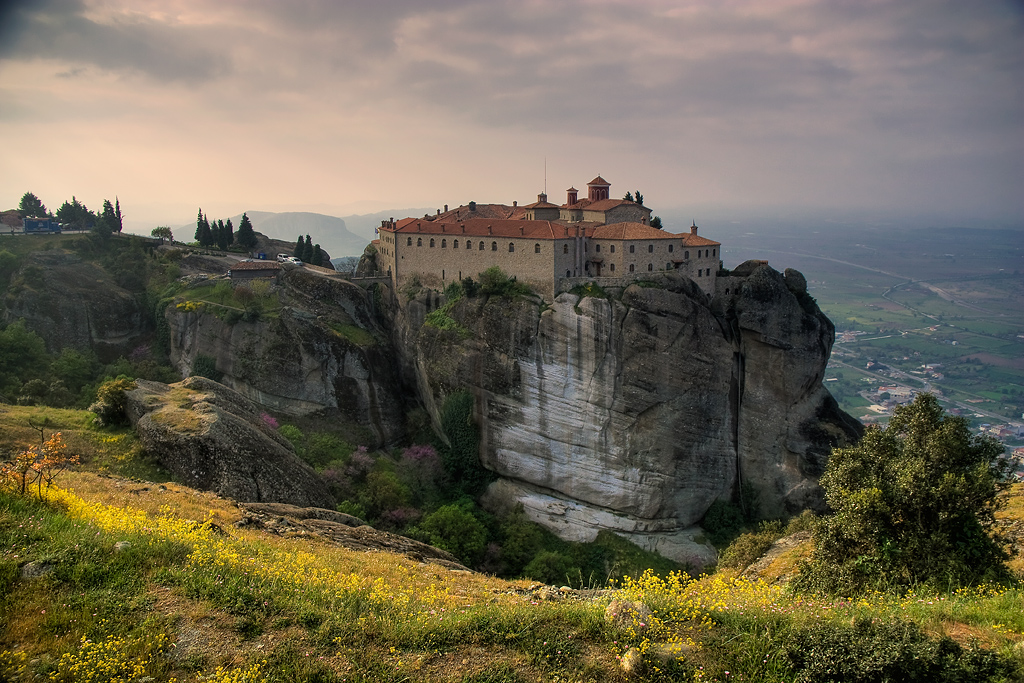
(914, 503)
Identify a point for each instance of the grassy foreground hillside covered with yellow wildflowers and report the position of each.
(113, 578)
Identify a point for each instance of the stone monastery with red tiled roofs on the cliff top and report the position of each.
(549, 247)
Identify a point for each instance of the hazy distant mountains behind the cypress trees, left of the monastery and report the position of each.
(339, 237)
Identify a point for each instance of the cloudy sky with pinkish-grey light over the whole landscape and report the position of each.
(761, 106)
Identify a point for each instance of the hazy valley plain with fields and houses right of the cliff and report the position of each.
(929, 310)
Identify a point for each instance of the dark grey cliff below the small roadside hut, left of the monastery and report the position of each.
(325, 352)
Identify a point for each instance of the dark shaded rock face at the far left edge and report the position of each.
(75, 305)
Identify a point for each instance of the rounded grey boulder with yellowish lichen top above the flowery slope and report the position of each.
(214, 440)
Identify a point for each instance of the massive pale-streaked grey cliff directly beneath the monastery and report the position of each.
(635, 412)
